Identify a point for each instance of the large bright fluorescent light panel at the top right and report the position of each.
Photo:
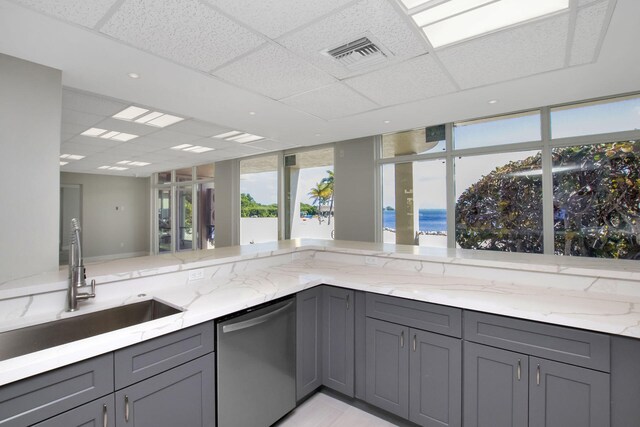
(457, 20)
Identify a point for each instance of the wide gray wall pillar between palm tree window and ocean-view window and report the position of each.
(355, 190)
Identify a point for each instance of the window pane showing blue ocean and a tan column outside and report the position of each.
(415, 203)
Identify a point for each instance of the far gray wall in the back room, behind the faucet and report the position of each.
(106, 232)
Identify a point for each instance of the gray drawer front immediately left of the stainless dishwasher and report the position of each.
(140, 361)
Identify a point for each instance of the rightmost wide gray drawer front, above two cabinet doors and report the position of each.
(573, 346)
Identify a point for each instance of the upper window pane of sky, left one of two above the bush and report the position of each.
(514, 128)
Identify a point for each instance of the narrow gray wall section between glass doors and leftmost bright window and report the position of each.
(227, 203)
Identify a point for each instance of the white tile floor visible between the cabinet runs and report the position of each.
(321, 410)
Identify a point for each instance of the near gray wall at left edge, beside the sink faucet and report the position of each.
(30, 112)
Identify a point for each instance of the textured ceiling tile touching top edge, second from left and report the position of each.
(185, 31)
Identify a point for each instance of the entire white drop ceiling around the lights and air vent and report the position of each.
(263, 67)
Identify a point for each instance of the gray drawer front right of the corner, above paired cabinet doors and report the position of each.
(416, 314)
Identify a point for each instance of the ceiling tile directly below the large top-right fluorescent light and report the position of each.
(518, 52)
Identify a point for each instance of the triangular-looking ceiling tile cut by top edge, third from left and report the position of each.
(274, 18)
